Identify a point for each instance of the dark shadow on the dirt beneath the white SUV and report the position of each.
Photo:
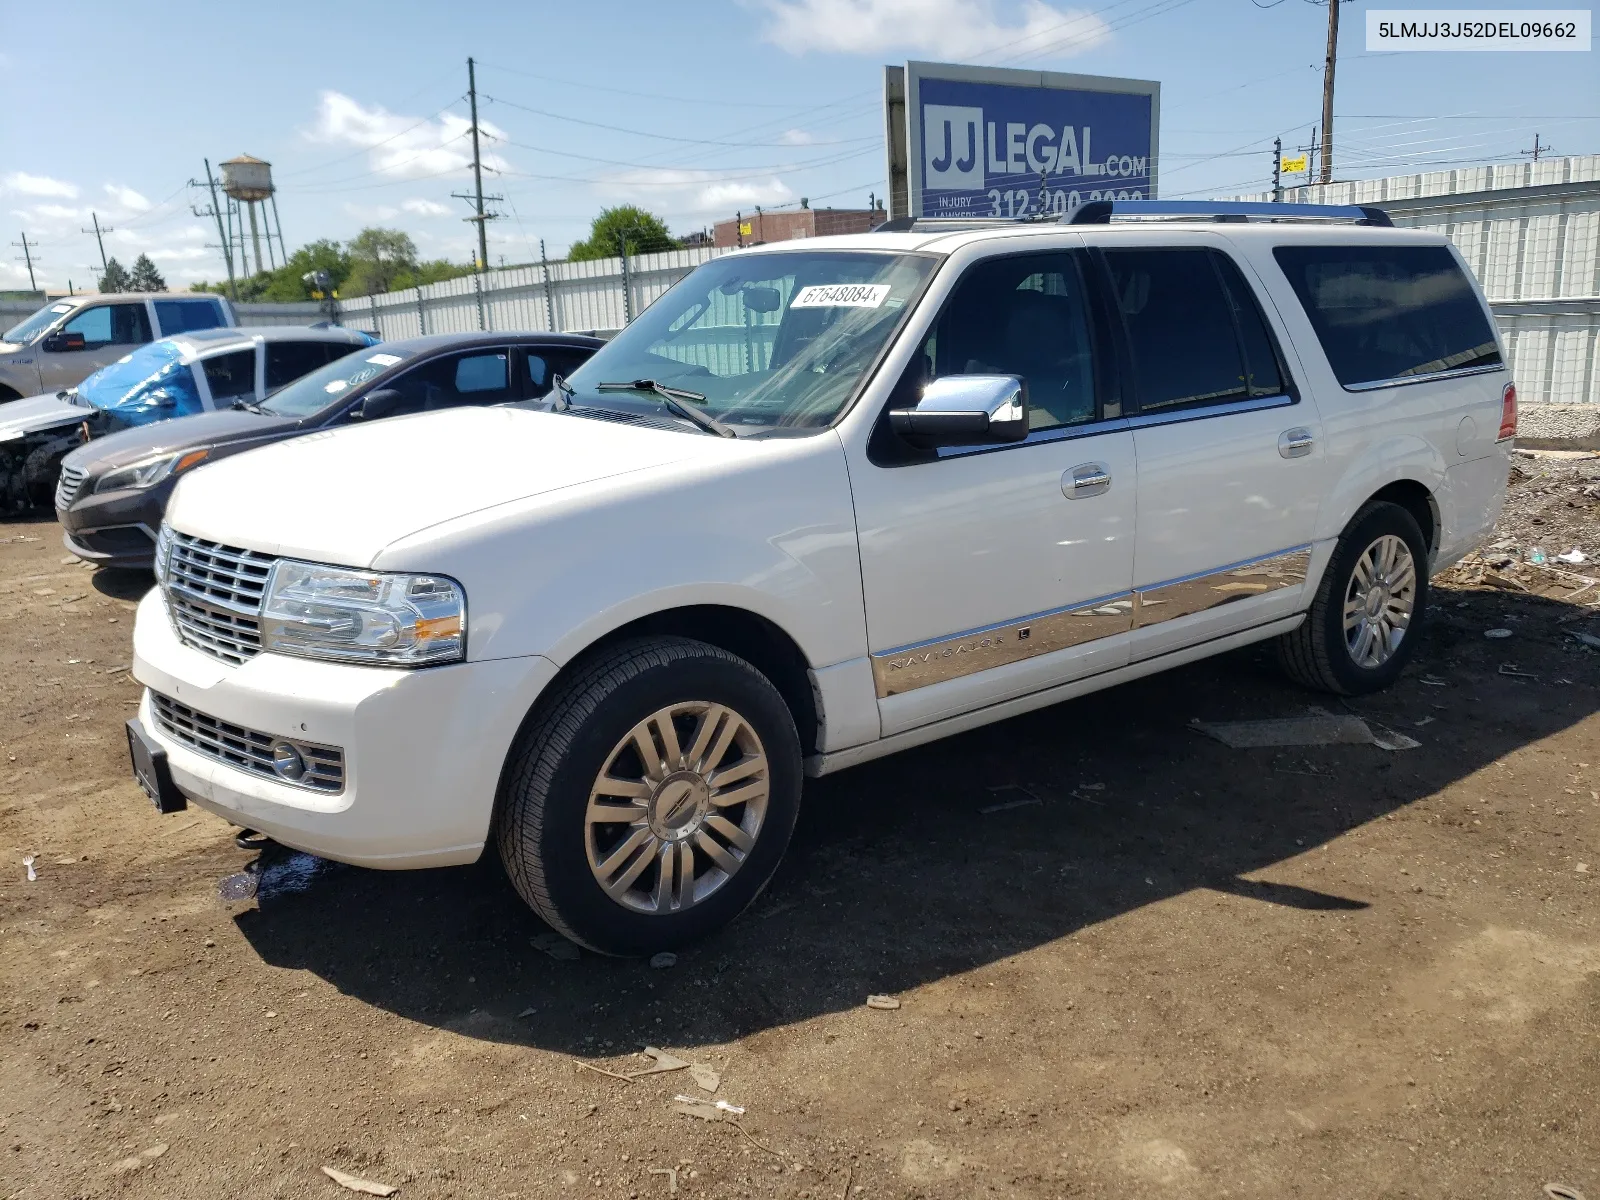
(898, 876)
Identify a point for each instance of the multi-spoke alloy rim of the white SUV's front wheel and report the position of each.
(678, 807)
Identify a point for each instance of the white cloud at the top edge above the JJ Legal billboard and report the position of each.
(953, 30)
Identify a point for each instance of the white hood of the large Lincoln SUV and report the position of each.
(342, 497)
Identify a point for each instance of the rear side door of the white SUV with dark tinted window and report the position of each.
(1230, 455)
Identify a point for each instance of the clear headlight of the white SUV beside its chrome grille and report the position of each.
(364, 617)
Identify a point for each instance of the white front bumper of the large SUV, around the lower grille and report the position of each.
(423, 750)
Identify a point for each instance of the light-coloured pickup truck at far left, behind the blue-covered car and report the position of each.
(66, 342)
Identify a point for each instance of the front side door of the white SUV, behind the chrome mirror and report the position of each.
(1002, 570)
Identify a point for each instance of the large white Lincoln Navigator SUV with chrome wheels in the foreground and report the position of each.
(823, 502)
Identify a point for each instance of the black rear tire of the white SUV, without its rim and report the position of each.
(1316, 655)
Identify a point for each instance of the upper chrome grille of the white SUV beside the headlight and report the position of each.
(215, 594)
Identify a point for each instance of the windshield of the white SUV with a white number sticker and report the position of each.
(767, 340)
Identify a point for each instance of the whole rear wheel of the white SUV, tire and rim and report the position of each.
(1362, 625)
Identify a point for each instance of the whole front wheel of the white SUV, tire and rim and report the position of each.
(652, 798)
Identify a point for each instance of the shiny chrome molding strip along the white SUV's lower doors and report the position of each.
(918, 666)
